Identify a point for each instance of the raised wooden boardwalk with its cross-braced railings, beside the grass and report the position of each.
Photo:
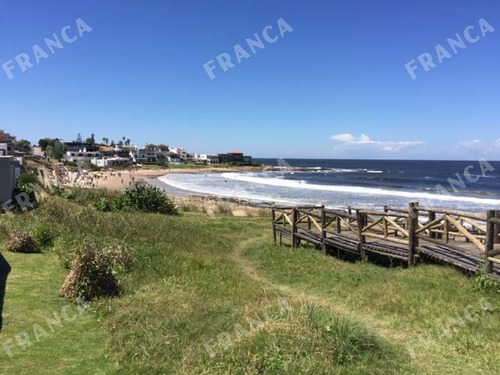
(468, 241)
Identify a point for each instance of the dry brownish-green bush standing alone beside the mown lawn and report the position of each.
(92, 275)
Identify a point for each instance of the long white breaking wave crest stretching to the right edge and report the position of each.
(357, 189)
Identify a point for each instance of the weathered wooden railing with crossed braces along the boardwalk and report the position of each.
(464, 232)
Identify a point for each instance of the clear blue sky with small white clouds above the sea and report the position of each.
(334, 87)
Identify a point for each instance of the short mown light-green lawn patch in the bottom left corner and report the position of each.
(74, 346)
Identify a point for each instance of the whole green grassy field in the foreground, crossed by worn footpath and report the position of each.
(208, 295)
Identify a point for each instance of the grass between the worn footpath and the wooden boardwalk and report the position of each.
(408, 307)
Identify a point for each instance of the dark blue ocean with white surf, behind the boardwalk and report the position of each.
(462, 185)
